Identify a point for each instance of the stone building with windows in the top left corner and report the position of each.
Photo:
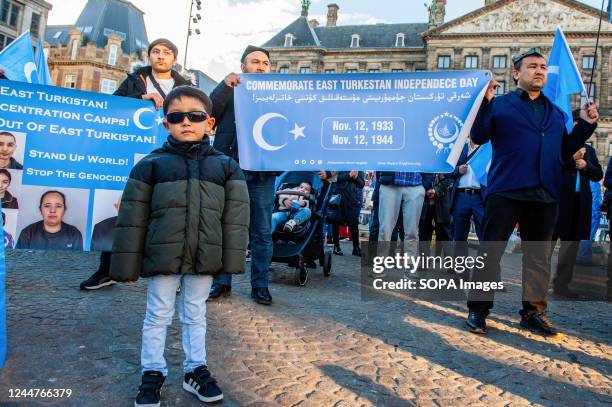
(19, 16)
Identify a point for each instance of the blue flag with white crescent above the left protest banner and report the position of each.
(17, 60)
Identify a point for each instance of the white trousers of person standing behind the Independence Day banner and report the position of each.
(392, 198)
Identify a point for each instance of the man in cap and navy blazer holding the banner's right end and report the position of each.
(530, 145)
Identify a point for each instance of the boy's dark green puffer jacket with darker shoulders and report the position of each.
(185, 210)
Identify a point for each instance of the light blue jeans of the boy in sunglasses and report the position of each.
(161, 294)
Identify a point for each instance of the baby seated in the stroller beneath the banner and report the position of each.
(294, 208)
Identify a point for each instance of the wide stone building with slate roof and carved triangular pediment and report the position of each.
(483, 39)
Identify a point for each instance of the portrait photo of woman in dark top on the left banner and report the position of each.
(52, 218)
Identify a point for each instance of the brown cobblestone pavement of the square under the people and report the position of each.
(318, 345)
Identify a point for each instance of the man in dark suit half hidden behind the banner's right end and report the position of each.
(466, 200)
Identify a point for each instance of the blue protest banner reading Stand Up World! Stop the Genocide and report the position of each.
(65, 156)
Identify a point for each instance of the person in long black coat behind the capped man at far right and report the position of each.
(575, 208)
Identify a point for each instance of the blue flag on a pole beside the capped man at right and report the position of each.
(563, 77)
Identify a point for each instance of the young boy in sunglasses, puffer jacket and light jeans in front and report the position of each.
(183, 217)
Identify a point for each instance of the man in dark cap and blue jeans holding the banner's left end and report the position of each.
(254, 60)
